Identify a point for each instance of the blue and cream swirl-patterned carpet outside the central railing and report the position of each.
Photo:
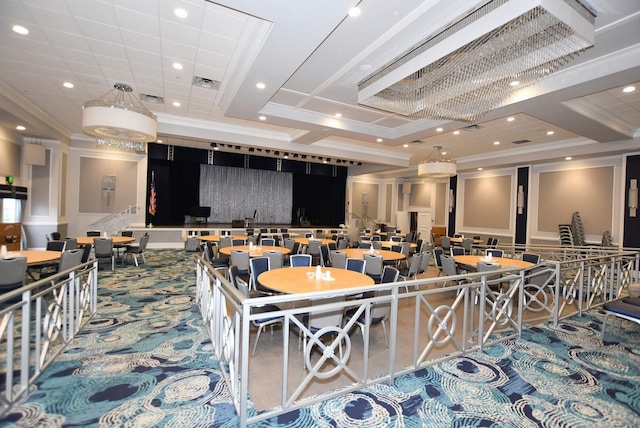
(145, 361)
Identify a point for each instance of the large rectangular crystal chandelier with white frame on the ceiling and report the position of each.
(476, 64)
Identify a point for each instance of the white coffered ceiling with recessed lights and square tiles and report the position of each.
(310, 56)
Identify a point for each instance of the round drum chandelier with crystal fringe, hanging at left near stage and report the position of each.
(119, 120)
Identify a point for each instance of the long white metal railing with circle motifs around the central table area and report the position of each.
(484, 311)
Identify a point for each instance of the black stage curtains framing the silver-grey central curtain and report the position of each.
(318, 189)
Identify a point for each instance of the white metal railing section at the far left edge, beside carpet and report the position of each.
(37, 322)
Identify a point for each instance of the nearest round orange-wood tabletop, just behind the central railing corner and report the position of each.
(295, 280)
